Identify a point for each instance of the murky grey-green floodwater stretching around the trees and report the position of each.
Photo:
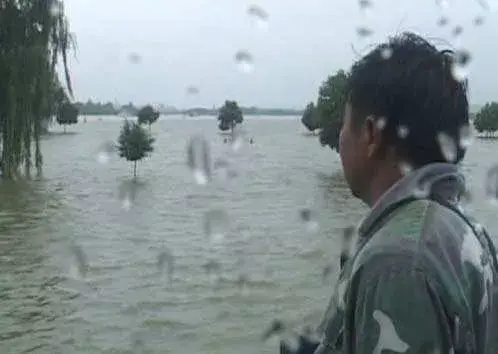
(109, 296)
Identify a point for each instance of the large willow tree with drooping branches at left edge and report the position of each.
(34, 36)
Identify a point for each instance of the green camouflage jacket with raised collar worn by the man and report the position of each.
(422, 279)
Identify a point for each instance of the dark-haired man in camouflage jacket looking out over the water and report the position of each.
(423, 277)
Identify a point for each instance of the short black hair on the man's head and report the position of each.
(412, 85)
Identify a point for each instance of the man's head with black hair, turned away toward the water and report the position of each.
(405, 108)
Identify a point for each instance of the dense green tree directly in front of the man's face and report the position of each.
(332, 98)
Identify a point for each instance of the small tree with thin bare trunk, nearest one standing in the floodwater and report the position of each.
(134, 143)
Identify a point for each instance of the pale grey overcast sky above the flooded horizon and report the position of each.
(193, 42)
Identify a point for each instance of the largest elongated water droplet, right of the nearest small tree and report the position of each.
(199, 159)
